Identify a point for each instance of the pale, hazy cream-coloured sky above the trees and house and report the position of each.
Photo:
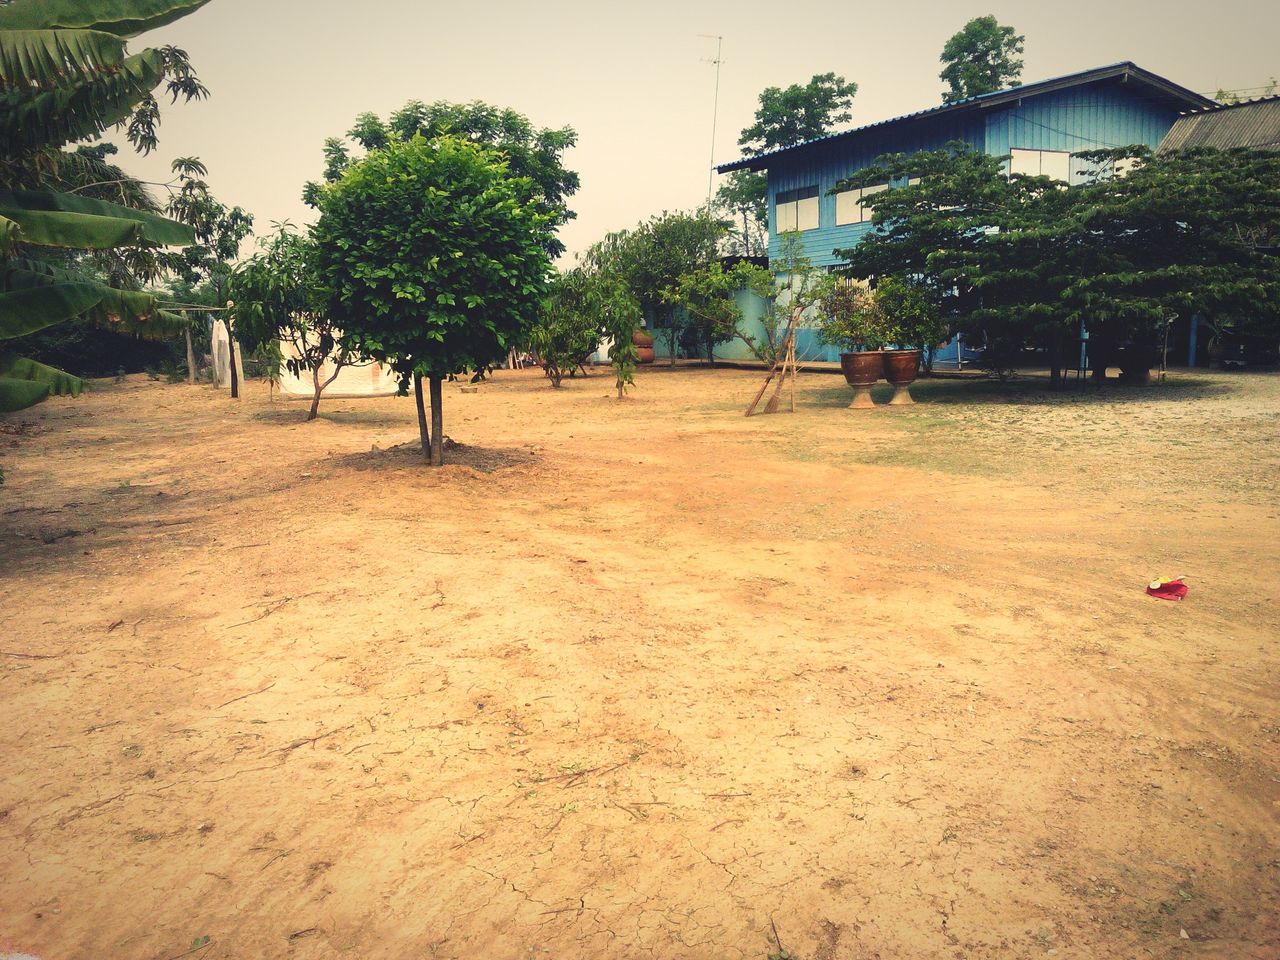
(636, 81)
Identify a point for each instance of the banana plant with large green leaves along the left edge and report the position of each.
(66, 75)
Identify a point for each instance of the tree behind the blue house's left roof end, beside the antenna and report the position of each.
(784, 118)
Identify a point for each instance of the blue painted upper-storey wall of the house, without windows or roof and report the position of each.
(1080, 118)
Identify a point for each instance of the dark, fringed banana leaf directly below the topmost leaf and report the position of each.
(80, 109)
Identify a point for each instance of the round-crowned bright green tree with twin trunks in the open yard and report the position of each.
(435, 259)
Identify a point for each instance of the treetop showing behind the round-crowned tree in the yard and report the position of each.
(534, 156)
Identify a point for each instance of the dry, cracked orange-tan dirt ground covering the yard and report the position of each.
(643, 679)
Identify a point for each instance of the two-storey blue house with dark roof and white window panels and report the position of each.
(1037, 127)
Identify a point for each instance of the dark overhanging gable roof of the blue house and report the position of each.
(1176, 95)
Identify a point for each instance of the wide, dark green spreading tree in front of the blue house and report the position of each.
(1022, 262)
